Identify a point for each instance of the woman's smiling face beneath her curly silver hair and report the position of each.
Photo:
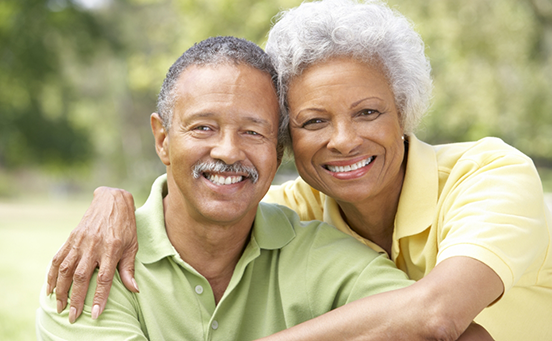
(346, 131)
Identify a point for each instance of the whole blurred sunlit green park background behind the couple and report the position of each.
(79, 79)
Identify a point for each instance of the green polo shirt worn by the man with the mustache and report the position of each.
(290, 272)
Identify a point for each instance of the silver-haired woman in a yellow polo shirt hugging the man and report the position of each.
(467, 220)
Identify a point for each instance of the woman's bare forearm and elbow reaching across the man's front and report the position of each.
(440, 306)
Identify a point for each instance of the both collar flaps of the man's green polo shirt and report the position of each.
(272, 228)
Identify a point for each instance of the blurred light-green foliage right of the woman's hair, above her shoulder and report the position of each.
(492, 69)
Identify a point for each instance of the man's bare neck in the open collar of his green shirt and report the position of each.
(211, 249)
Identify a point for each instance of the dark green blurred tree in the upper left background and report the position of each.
(36, 38)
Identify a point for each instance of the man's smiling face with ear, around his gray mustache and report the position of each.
(224, 113)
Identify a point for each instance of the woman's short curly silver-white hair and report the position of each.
(368, 31)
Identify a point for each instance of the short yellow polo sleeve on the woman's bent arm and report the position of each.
(494, 211)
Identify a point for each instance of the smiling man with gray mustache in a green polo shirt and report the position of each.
(214, 262)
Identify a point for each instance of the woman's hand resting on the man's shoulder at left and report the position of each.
(105, 237)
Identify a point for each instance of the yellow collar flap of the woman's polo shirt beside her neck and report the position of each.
(418, 200)
